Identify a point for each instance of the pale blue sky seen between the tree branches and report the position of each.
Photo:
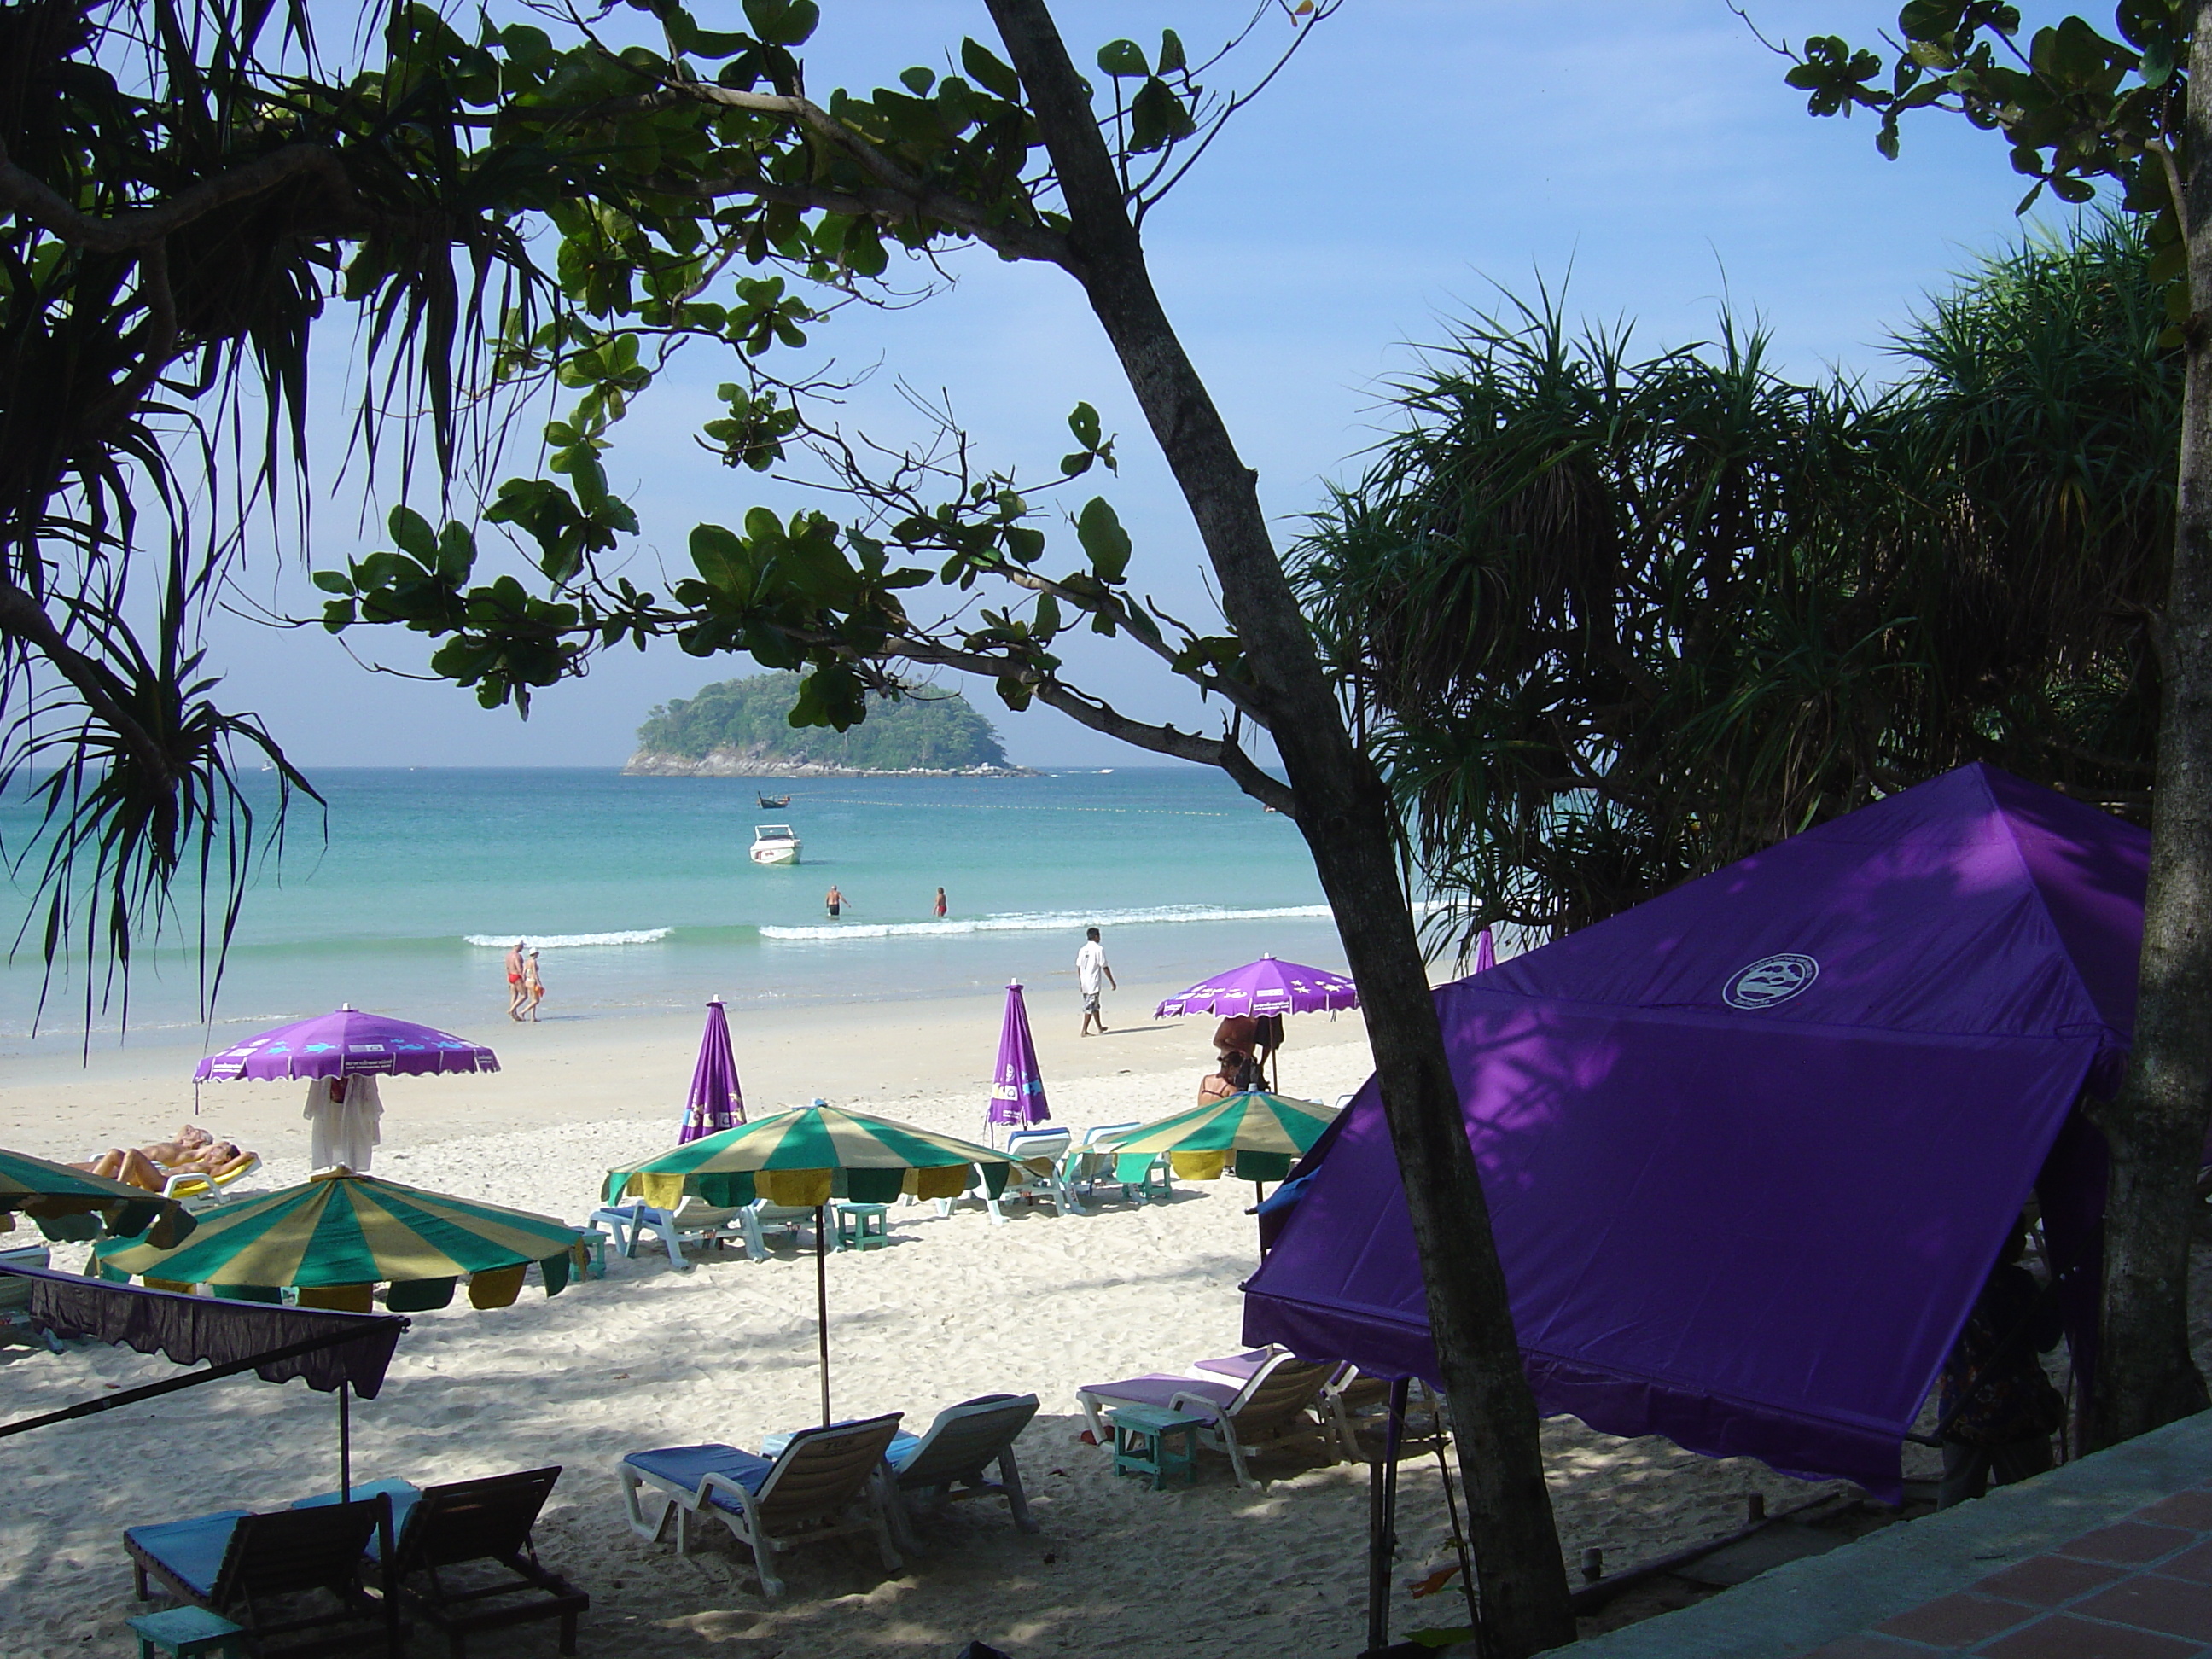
(1417, 156)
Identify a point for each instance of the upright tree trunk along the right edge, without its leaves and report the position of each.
(2158, 1125)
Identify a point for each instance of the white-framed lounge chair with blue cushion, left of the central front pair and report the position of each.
(826, 1483)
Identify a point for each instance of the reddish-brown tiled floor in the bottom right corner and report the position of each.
(2136, 1589)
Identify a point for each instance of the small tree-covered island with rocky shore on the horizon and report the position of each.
(740, 729)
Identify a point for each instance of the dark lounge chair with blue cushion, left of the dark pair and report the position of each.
(253, 1569)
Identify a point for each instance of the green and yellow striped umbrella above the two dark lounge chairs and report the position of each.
(340, 1235)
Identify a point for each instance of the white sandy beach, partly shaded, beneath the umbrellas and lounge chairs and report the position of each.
(727, 1353)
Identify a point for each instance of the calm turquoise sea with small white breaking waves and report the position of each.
(640, 895)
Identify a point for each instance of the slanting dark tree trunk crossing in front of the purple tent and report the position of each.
(1346, 817)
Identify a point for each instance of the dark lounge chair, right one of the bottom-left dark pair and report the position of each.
(466, 1523)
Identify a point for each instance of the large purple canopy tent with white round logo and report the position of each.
(1753, 1147)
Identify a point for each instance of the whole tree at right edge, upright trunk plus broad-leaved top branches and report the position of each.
(2129, 112)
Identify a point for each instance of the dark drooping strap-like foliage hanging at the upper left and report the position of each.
(185, 191)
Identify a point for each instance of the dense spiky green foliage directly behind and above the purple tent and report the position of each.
(1614, 623)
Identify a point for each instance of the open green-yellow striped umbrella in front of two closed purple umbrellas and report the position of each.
(811, 1156)
